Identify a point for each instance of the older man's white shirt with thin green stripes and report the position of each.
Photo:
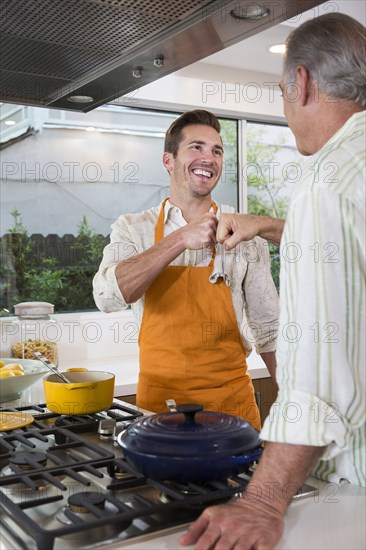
(321, 342)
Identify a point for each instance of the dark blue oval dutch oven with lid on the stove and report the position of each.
(190, 445)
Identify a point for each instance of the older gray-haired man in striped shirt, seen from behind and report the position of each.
(321, 356)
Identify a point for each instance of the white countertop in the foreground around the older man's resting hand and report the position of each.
(333, 520)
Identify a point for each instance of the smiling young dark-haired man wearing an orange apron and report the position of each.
(193, 301)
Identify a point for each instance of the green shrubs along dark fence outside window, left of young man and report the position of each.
(26, 275)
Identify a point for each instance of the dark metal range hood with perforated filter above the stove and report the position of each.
(79, 54)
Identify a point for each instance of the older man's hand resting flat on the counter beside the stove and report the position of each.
(243, 525)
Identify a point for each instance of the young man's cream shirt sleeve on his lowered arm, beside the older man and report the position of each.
(260, 296)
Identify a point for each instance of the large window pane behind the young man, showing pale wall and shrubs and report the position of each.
(66, 177)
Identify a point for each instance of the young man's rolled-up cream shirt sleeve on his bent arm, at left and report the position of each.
(123, 245)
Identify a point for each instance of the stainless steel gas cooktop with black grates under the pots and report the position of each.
(65, 484)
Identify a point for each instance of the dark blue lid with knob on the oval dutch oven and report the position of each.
(191, 431)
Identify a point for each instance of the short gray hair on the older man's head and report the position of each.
(333, 50)
